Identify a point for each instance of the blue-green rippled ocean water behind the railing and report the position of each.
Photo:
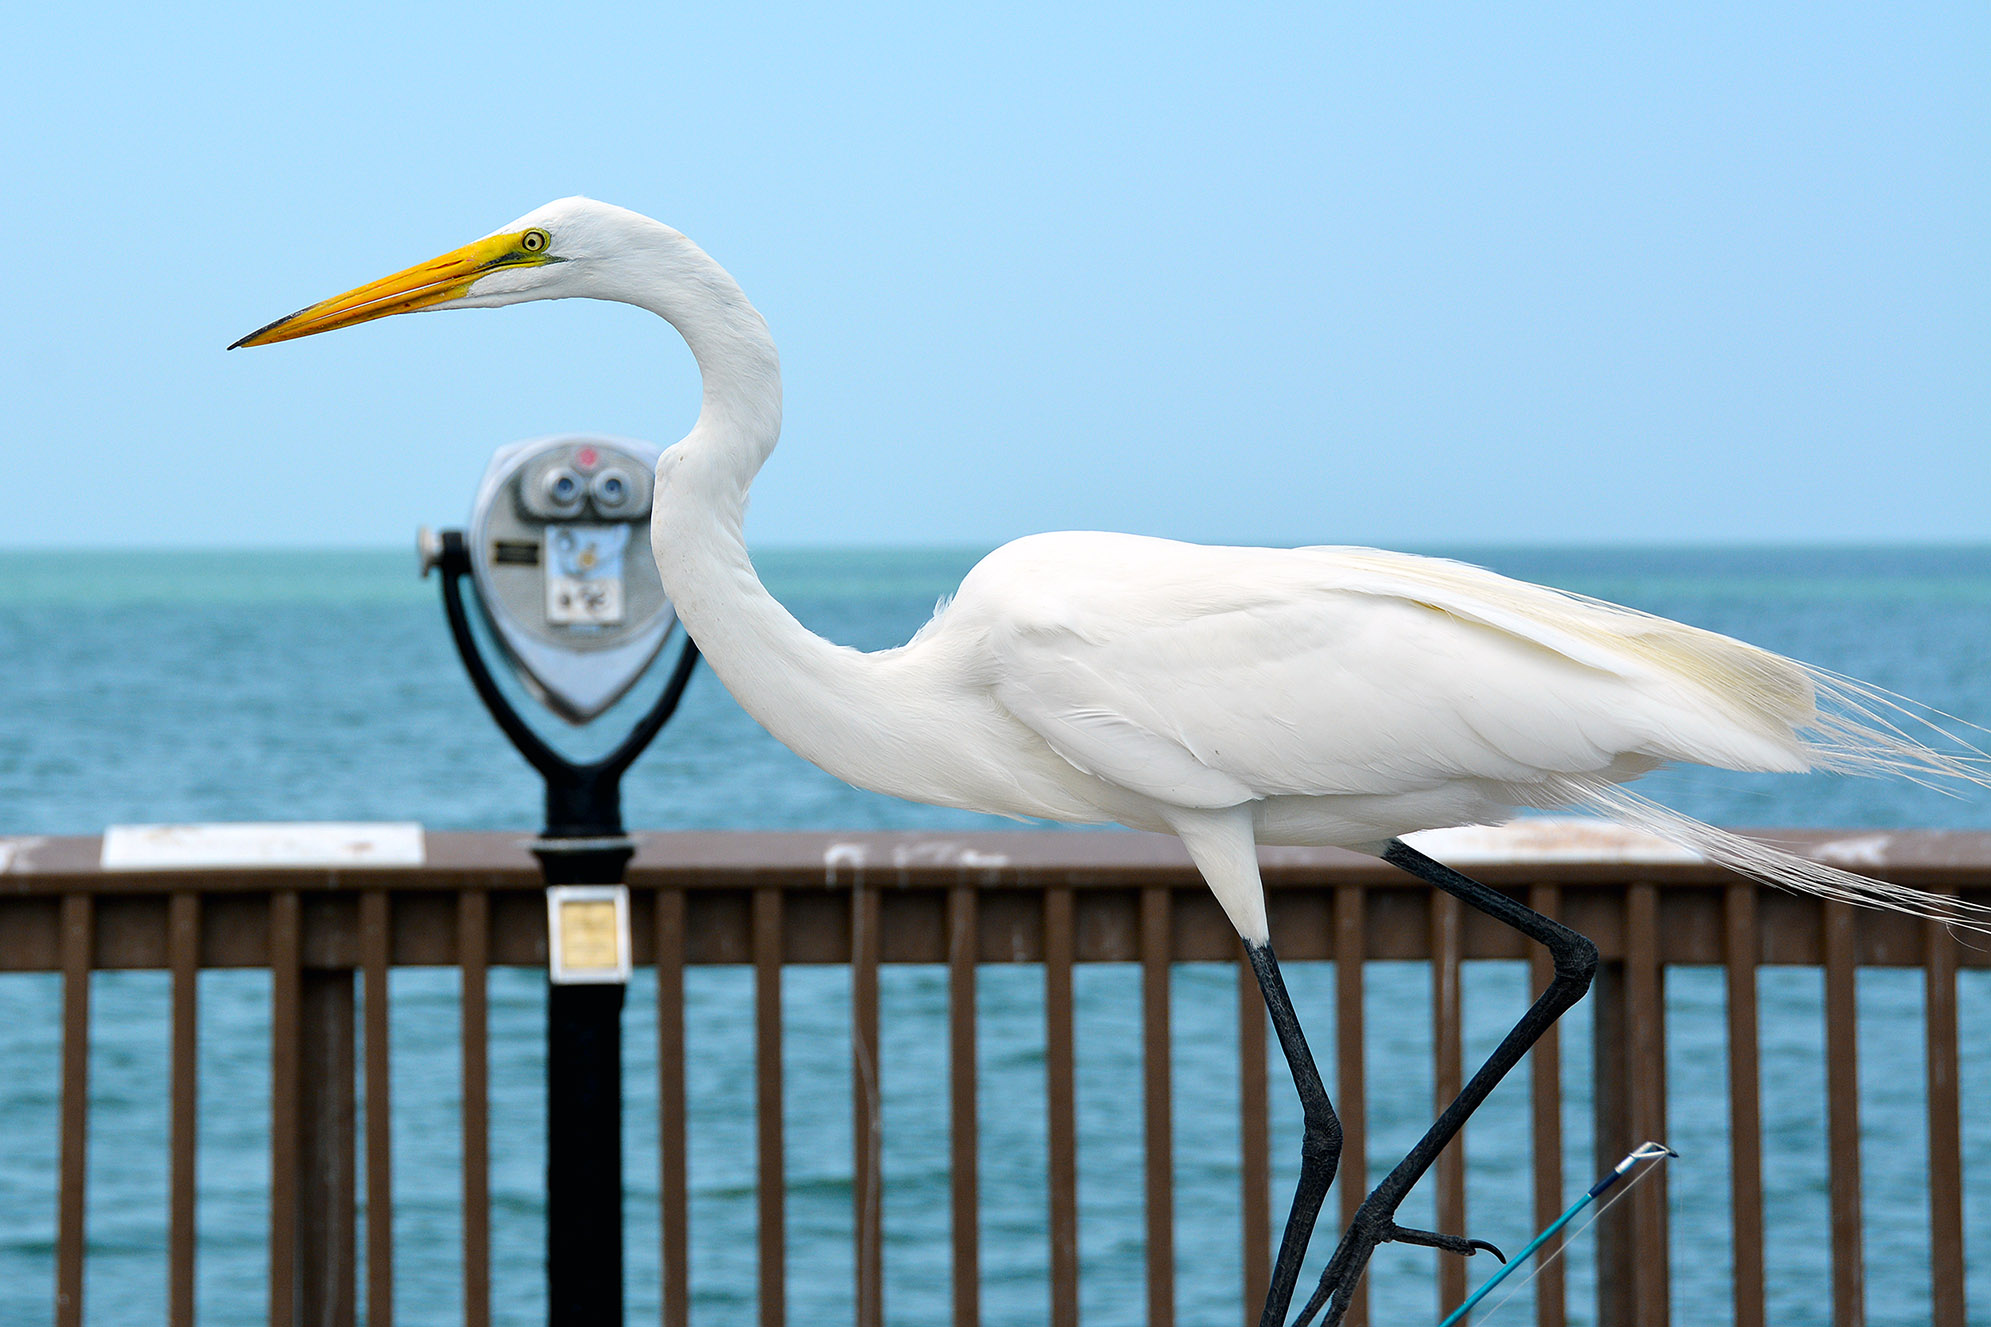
(324, 686)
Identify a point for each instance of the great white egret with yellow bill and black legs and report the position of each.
(1231, 696)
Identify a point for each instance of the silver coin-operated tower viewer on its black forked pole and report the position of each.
(558, 553)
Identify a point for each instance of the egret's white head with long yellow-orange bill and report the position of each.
(554, 252)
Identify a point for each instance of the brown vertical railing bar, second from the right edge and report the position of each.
(1843, 1115)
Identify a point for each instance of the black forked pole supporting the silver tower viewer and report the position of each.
(582, 844)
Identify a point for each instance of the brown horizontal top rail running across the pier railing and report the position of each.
(1594, 878)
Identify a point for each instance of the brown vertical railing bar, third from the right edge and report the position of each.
(1741, 951)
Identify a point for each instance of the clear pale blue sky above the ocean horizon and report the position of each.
(1415, 276)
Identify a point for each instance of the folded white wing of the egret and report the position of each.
(1216, 676)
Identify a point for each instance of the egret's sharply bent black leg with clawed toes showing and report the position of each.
(1576, 963)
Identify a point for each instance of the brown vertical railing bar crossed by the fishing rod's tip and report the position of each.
(1646, 1033)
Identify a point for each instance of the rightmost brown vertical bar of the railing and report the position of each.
(1946, 1129)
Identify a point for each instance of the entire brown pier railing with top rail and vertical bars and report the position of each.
(965, 902)
